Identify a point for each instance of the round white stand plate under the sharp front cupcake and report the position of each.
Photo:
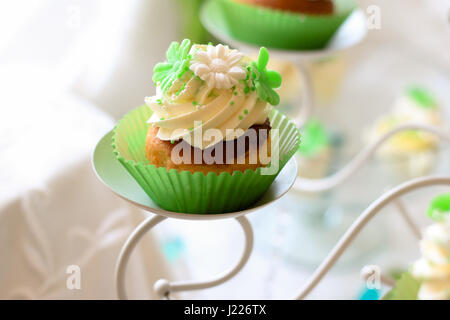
(114, 176)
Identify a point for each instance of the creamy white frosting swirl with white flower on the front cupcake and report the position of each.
(210, 97)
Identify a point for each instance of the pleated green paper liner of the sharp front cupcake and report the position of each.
(198, 193)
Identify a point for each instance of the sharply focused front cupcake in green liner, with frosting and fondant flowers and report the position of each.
(209, 140)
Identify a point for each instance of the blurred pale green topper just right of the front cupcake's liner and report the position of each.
(314, 138)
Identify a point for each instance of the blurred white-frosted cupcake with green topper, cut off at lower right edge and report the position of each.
(429, 276)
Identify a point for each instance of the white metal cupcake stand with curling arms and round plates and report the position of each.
(350, 34)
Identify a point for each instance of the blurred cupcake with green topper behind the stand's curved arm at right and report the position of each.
(410, 153)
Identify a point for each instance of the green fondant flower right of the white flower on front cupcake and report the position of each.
(265, 80)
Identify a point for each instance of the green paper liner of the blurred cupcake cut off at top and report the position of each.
(274, 28)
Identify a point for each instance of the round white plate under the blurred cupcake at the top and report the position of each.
(351, 32)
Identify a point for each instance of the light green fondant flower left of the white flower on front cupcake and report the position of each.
(165, 73)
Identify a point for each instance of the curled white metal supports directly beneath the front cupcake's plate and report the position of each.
(163, 287)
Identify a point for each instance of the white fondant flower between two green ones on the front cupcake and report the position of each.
(218, 66)
